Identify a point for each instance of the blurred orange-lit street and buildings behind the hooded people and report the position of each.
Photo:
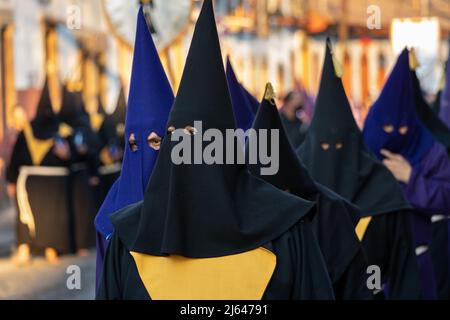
(87, 45)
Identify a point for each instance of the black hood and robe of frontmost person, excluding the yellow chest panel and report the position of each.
(226, 212)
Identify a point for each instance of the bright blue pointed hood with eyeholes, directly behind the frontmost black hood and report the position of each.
(149, 103)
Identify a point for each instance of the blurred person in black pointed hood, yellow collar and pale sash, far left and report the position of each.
(39, 162)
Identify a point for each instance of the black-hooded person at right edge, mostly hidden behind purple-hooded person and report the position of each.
(440, 233)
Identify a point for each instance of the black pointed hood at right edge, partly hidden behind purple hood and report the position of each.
(426, 115)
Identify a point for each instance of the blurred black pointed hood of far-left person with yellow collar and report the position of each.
(45, 123)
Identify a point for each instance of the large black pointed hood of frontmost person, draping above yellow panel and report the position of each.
(200, 210)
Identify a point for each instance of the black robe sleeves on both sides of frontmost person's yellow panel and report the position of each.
(300, 272)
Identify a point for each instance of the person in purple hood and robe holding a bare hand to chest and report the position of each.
(394, 133)
